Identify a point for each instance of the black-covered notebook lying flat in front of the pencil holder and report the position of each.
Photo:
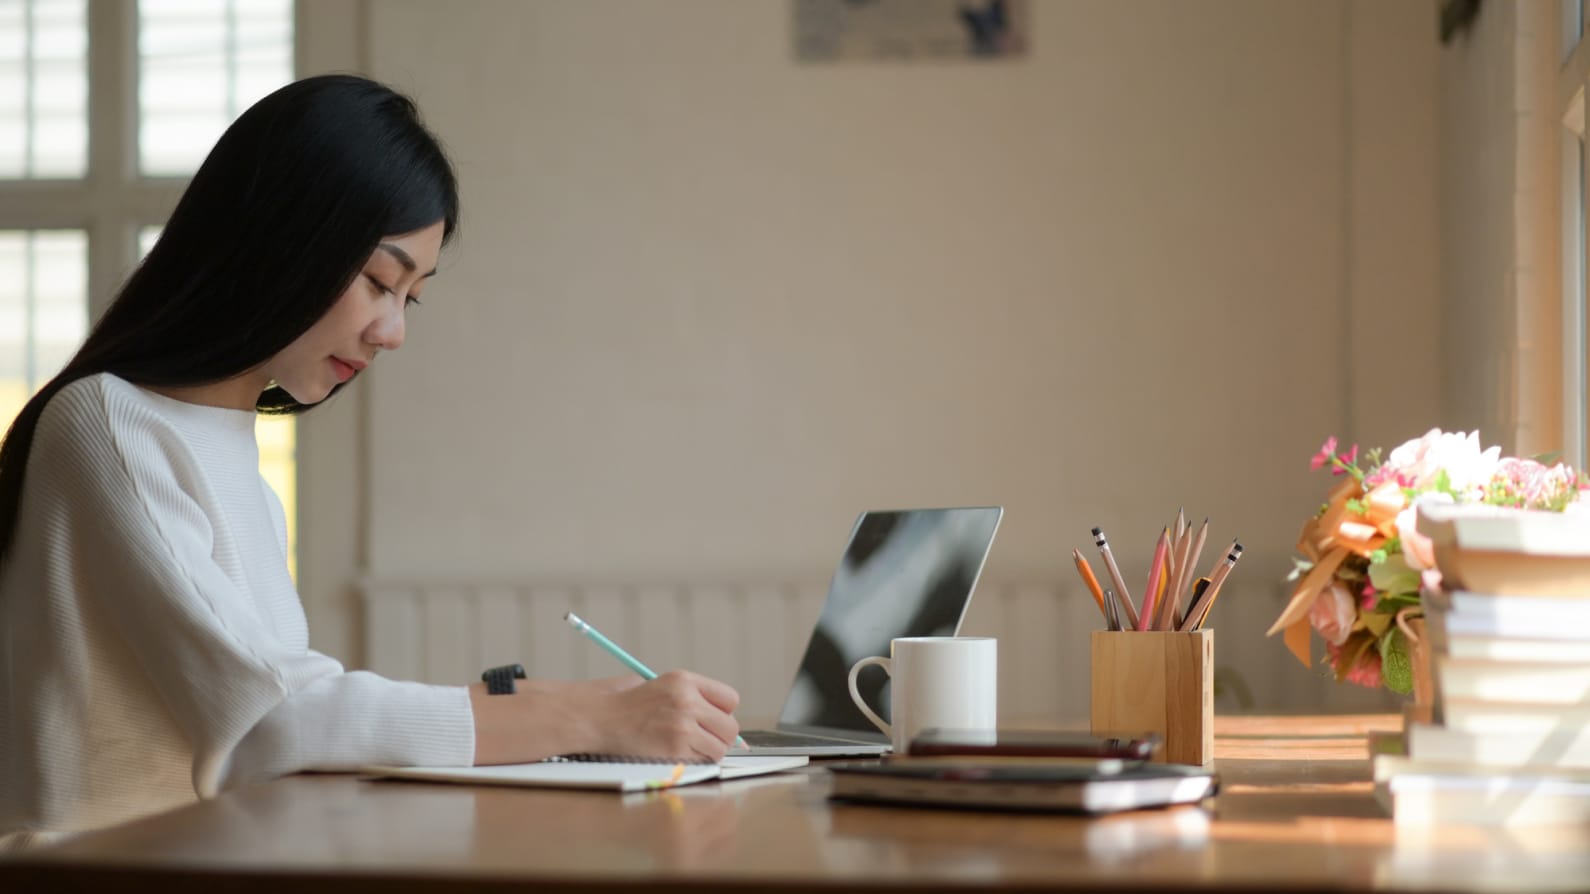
(1004, 785)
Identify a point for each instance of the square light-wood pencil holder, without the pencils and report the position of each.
(1157, 682)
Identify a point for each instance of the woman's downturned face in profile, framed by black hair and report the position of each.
(368, 319)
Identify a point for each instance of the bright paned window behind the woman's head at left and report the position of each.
(91, 161)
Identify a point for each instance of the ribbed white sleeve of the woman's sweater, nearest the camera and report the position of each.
(144, 503)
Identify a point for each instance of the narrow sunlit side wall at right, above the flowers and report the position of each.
(1500, 227)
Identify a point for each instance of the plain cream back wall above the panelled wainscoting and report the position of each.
(708, 303)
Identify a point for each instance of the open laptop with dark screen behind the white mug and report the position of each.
(904, 573)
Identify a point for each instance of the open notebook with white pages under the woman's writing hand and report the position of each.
(595, 772)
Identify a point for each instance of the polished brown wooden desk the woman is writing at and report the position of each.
(1297, 812)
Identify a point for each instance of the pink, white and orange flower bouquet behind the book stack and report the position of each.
(1365, 564)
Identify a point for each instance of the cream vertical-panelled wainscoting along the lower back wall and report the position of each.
(754, 636)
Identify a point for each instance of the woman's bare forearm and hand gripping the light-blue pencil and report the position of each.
(678, 715)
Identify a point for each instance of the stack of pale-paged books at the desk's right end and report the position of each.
(1510, 637)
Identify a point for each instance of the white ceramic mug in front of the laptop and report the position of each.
(936, 682)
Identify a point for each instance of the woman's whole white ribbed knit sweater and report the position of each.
(153, 648)
